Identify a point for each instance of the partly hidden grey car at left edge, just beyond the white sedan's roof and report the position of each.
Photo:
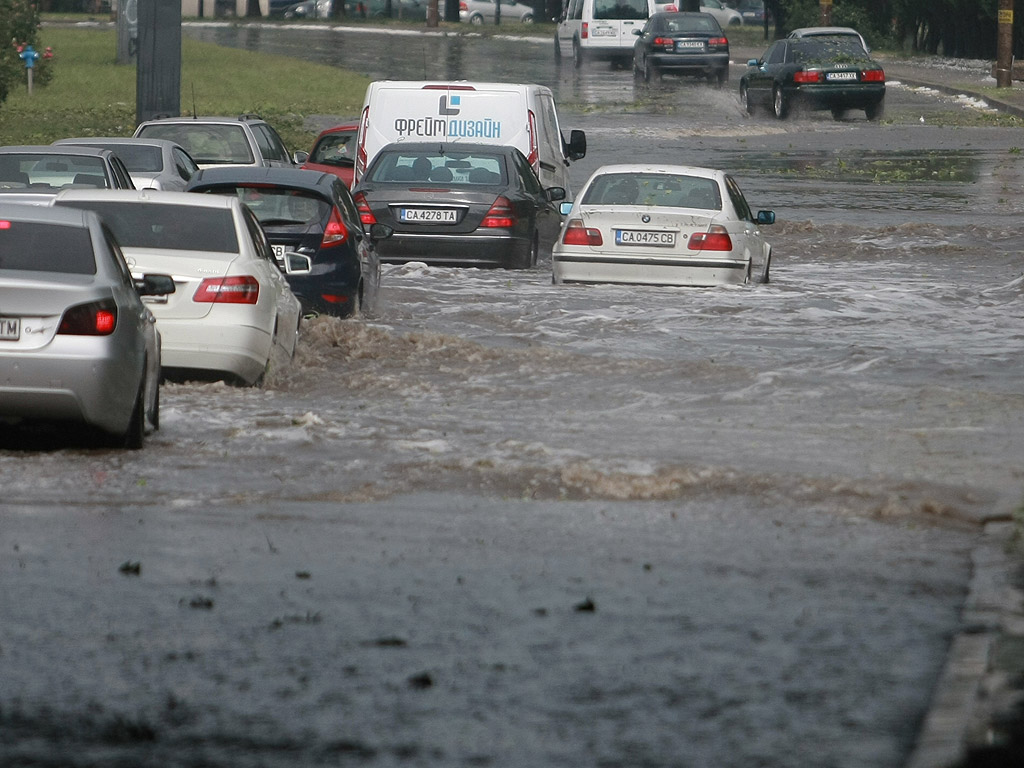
(35, 175)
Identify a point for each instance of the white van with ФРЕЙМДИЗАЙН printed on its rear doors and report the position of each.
(515, 115)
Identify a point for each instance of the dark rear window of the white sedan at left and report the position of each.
(166, 227)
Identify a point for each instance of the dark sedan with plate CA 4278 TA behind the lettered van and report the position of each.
(459, 204)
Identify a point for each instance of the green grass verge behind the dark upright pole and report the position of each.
(93, 96)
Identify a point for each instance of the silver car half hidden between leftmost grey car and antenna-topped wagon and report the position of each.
(153, 163)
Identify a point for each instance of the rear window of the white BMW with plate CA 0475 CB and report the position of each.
(663, 190)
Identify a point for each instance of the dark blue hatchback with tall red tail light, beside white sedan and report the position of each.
(311, 215)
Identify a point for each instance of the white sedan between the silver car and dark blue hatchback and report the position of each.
(233, 315)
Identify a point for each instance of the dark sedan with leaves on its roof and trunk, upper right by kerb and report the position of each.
(817, 73)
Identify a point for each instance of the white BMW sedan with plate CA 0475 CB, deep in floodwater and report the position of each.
(662, 225)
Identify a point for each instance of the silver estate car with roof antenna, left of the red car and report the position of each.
(246, 140)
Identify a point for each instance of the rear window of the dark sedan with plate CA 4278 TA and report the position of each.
(451, 168)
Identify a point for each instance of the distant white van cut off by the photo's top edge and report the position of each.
(602, 30)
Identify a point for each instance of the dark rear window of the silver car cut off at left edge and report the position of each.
(47, 248)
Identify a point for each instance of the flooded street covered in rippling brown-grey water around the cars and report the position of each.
(501, 523)
